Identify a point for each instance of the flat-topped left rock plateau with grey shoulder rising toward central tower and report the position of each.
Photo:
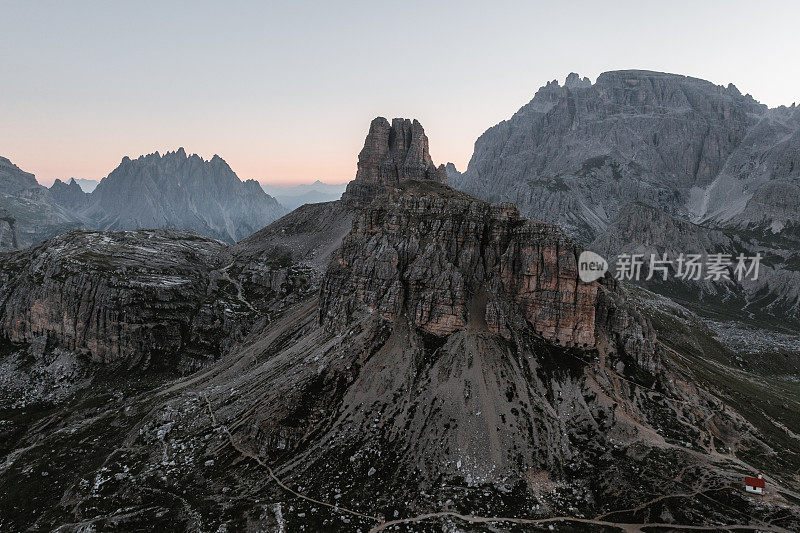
(164, 298)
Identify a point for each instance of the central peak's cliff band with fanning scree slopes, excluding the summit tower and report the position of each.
(458, 345)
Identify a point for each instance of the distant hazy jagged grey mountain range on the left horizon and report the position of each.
(154, 191)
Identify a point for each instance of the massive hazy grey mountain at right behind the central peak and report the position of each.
(575, 153)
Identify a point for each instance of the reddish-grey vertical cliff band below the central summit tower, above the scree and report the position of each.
(445, 261)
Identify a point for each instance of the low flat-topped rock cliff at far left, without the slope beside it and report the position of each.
(134, 298)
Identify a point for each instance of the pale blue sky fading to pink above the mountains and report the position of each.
(285, 91)
